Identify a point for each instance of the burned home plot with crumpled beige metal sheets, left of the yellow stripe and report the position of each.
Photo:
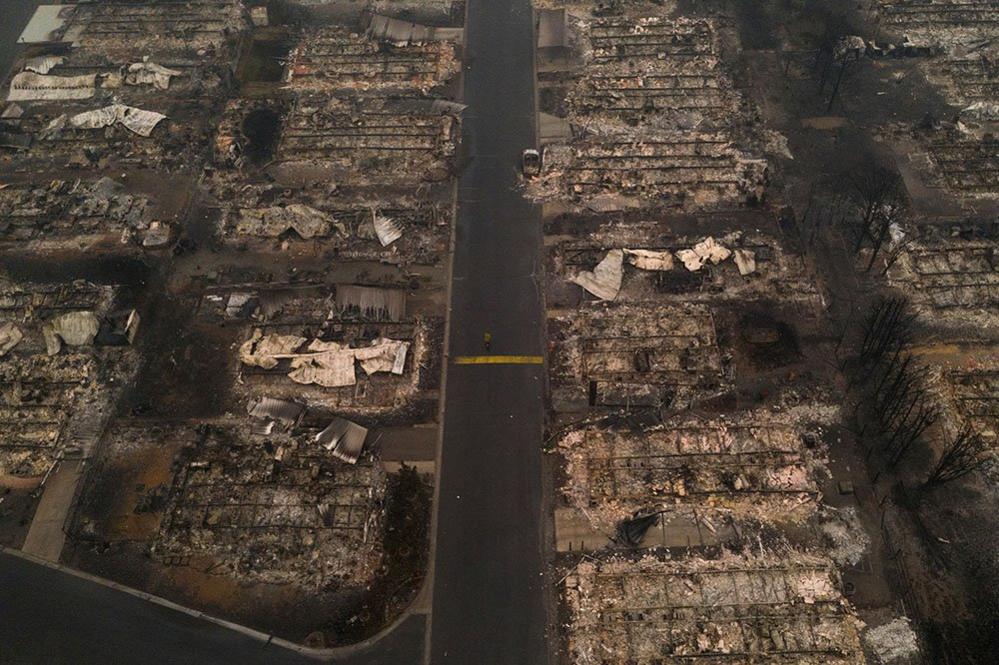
(352, 348)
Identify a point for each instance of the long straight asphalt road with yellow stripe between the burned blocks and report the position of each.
(488, 604)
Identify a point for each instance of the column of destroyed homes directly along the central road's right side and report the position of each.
(694, 415)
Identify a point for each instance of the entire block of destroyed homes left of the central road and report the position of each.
(226, 227)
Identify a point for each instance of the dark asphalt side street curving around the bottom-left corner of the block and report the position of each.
(53, 618)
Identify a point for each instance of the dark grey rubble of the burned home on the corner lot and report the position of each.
(275, 509)
